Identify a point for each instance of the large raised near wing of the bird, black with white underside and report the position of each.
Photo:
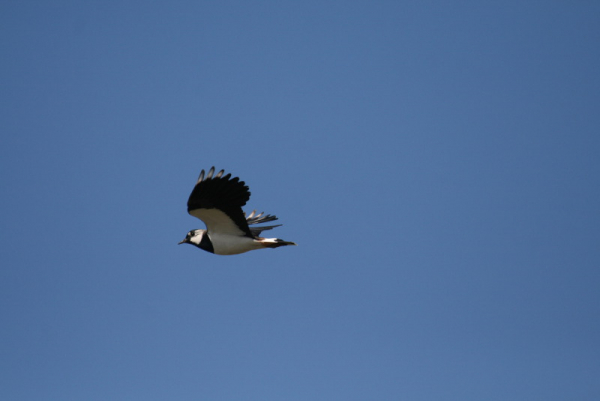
(218, 201)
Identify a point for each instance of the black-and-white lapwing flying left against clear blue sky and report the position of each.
(217, 200)
